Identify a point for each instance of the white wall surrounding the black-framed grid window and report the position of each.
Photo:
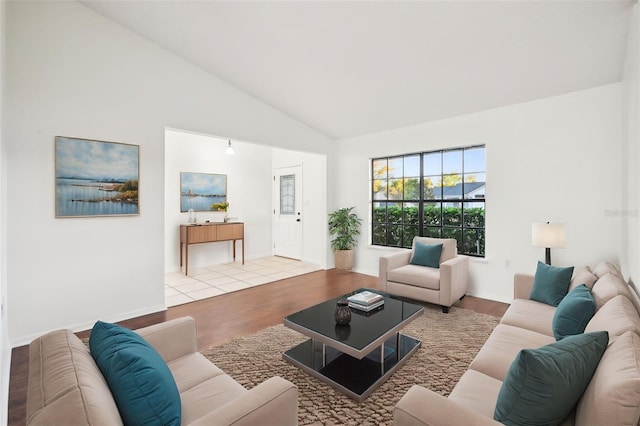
(556, 159)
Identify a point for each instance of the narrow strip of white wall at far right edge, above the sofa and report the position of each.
(630, 212)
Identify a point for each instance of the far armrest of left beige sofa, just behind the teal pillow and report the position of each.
(172, 339)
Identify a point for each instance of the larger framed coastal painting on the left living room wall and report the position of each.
(96, 178)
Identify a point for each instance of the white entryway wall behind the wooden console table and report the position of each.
(248, 193)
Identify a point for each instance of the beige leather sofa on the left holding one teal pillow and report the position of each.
(66, 386)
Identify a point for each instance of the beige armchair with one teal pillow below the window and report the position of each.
(442, 286)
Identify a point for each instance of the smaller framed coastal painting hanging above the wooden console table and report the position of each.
(198, 191)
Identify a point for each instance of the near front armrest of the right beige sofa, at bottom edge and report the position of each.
(421, 407)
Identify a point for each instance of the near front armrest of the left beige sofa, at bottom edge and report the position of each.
(272, 402)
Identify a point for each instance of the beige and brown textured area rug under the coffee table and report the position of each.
(449, 344)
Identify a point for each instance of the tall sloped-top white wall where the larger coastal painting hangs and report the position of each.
(72, 72)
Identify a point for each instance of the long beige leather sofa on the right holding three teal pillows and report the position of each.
(613, 394)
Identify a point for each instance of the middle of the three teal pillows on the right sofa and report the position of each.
(573, 312)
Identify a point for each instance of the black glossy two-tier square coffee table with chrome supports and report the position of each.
(357, 358)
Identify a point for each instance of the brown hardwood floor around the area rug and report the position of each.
(224, 317)
